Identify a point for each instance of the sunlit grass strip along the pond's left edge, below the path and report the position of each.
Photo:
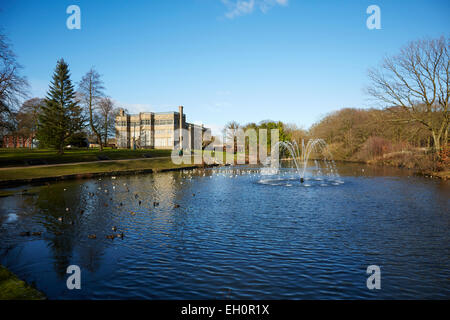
(84, 168)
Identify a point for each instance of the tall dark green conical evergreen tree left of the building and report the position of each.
(61, 116)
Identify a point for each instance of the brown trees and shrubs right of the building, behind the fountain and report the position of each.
(409, 127)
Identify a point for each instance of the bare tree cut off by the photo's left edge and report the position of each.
(13, 86)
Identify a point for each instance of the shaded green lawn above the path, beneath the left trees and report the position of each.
(21, 156)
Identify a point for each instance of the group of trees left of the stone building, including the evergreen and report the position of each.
(68, 115)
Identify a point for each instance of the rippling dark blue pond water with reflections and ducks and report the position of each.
(233, 233)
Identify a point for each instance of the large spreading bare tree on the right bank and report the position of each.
(417, 82)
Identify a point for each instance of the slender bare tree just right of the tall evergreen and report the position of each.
(90, 90)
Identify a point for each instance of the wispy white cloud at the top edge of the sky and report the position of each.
(242, 7)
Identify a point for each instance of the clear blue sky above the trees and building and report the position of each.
(245, 60)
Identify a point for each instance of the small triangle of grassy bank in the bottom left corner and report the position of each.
(12, 288)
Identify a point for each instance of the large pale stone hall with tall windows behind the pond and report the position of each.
(156, 130)
